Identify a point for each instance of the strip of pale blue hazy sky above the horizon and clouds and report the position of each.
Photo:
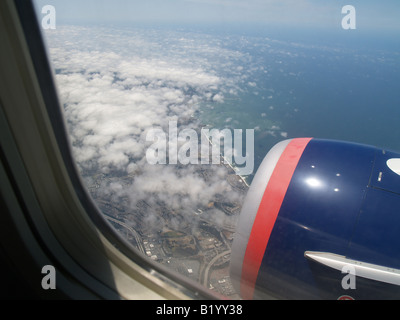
(371, 15)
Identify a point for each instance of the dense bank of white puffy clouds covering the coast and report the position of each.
(113, 93)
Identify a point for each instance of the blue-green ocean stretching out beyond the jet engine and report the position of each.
(314, 84)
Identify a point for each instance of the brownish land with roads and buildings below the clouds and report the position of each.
(199, 249)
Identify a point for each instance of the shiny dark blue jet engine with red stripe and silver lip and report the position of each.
(321, 221)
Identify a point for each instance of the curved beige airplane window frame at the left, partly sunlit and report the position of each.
(55, 218)
